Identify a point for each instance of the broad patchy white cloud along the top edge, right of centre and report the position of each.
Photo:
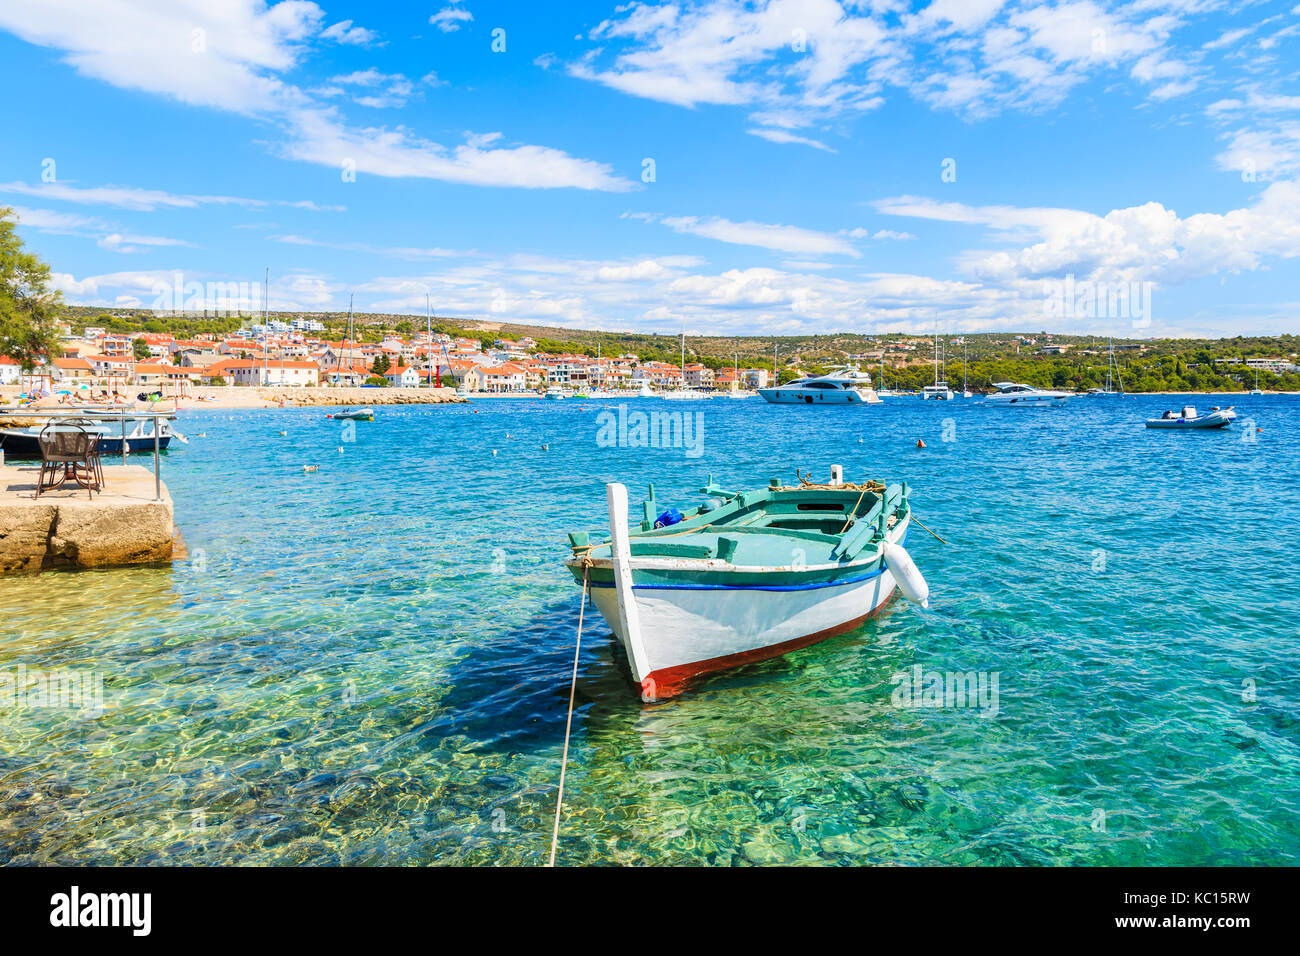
(811, 60)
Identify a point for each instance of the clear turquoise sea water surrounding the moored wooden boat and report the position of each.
(370, 664)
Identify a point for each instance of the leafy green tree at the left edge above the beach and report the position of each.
(29, 309)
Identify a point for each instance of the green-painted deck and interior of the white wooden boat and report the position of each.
(775, 526)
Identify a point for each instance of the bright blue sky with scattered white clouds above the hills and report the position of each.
(799, 159)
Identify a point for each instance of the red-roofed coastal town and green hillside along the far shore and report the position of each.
(301, 352)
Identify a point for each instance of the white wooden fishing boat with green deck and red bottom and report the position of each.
(747, 576)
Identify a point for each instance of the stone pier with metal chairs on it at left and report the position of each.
(122, 525)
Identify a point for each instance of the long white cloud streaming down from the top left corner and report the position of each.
(229, 55)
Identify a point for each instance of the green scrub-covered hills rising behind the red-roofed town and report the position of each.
(1142, 365)
